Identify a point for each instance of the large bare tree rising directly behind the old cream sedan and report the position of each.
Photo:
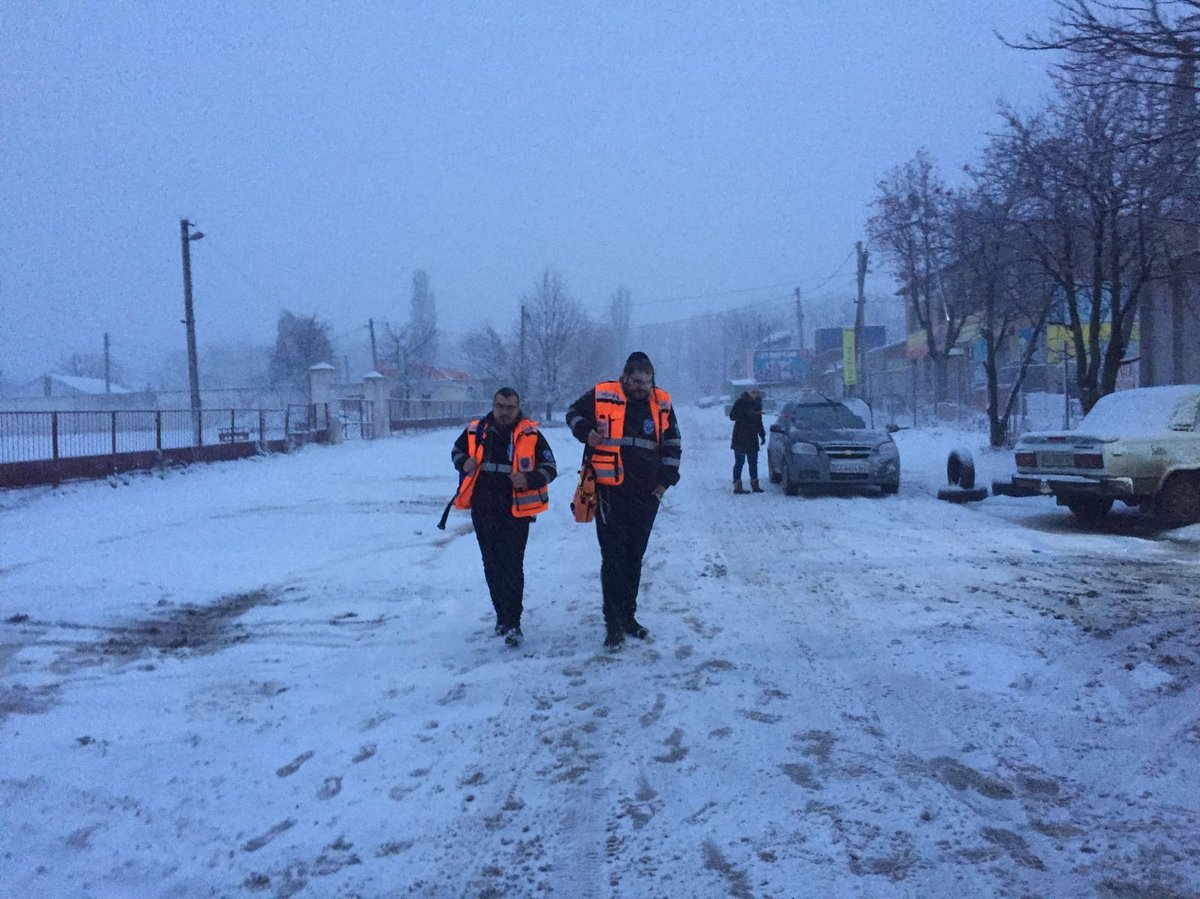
(1094, 187)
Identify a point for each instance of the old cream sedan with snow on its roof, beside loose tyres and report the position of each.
(1141, 447)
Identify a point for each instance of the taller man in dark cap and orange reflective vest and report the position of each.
(634, 446)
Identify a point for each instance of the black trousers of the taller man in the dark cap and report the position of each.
(623, 528)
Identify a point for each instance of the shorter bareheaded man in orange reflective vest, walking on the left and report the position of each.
(505, 466)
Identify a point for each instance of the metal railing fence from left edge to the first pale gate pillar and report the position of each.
(37, 436)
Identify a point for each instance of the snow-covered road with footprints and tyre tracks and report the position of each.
(275, 678)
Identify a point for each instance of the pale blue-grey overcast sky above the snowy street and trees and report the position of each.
(706, 155)
